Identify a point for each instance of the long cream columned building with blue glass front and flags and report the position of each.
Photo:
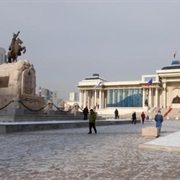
(160, 90)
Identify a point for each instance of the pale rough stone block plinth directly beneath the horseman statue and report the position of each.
(17, 87)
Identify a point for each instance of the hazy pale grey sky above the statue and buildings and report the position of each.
(68, 41)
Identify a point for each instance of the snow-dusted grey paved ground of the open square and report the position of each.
(72, 154)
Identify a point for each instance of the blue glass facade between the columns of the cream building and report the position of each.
(124, 98)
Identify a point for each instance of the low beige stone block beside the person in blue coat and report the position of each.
(150, 132)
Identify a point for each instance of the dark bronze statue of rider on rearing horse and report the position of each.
(15, 48)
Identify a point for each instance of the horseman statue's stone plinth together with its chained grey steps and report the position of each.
(18, 100)
